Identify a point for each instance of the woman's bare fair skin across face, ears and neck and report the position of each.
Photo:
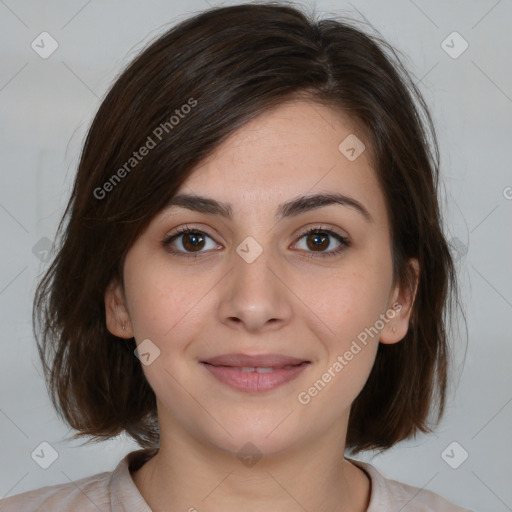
(283, 302)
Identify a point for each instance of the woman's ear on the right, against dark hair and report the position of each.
(399, 308)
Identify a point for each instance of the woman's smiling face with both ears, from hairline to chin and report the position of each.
(256, 283)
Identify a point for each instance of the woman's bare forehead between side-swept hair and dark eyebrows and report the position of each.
(285, 152)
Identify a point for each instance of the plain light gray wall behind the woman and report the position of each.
(46, 106)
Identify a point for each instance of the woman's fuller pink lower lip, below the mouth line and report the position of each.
(254, 382)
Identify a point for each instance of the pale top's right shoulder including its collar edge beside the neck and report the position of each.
(387, 494)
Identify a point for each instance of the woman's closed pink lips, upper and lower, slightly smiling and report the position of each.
(239, 371)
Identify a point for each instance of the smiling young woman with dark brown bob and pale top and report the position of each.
(253, 277)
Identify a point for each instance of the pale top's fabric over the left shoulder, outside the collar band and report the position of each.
(86, 494)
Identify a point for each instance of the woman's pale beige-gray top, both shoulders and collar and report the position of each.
(115, 491)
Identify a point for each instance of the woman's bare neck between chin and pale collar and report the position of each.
(193, 476)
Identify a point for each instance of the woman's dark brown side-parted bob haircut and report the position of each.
(180, 98)
